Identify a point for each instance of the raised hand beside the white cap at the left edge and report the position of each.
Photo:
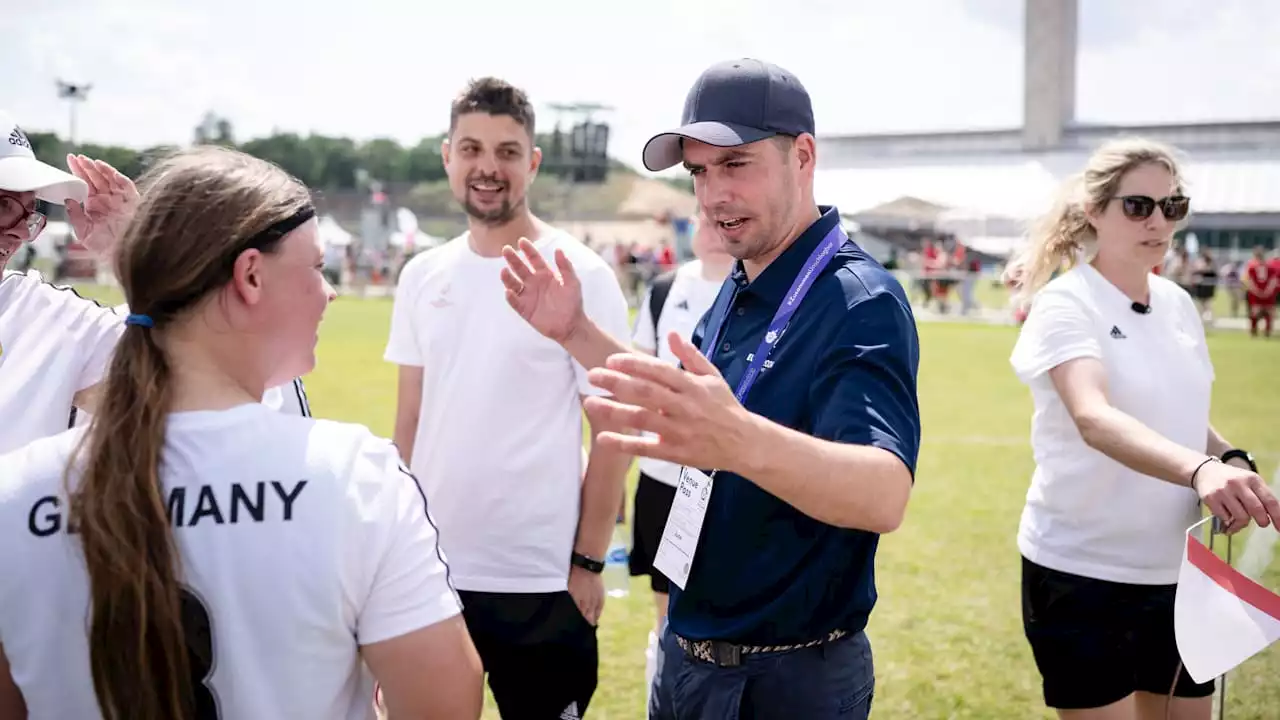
(113, 199)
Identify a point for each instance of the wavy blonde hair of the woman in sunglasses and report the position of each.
(1064, 234)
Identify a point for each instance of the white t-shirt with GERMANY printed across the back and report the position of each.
(303, 540)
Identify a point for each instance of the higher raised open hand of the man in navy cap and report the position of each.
(548, 299)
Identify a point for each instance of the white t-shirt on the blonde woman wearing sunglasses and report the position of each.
(1087, 514)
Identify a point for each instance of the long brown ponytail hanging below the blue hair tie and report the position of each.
(138, 650)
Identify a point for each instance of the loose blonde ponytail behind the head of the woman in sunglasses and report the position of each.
(1055, 243)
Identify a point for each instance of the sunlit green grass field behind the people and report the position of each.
(948, 631)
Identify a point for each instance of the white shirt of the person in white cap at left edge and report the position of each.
(53, 345)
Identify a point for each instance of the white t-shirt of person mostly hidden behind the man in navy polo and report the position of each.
(689, 299)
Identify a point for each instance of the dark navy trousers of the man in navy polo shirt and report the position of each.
(835, 681)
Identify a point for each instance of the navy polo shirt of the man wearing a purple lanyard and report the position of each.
(844, 371)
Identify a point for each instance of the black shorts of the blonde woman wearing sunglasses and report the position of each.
(1098, 642)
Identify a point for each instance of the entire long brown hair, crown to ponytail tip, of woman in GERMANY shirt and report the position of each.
(199, 211)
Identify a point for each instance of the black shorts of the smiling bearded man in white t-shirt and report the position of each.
(541, 654)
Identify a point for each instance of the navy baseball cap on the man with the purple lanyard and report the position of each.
(735, 103)
